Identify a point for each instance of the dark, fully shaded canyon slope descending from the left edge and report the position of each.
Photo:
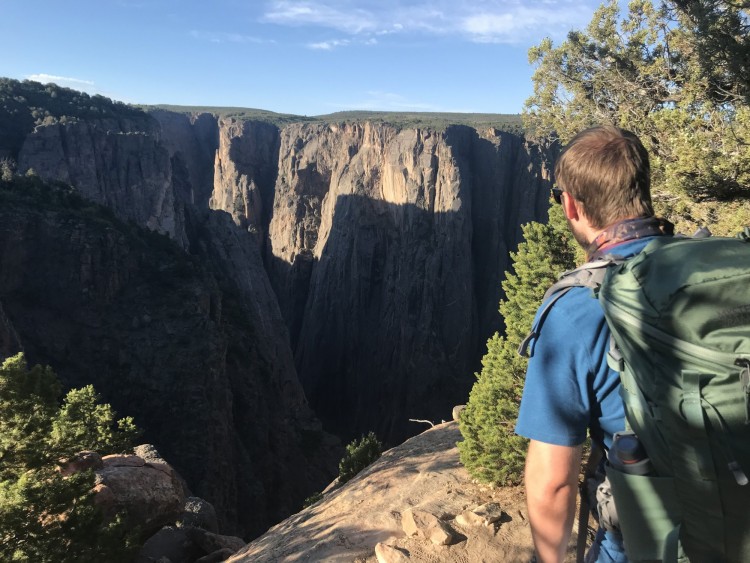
(170, 343)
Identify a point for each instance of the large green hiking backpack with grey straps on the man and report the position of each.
(679, 315)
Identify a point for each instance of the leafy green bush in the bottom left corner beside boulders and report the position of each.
(44, 515)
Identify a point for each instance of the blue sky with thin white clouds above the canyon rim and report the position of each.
(303, 57)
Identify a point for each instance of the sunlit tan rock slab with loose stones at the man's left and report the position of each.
(409, 505)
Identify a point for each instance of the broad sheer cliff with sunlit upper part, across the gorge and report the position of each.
(386, 251)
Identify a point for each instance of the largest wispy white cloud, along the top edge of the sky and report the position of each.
(475, 20)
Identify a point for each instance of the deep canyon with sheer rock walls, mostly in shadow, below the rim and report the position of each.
(263, 292)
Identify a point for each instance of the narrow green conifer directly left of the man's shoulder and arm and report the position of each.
(490, 449)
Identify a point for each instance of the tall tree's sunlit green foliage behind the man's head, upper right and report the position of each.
(675, 73)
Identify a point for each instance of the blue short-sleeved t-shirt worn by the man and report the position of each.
(569, 387)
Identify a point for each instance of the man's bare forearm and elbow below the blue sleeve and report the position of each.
(551, 487)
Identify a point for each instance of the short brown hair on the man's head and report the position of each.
(607, 170)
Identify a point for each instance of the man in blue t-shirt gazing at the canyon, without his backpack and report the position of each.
(604, 188)
